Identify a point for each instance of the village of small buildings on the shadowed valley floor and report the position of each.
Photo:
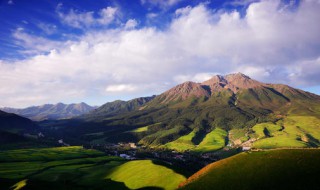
(188, 159)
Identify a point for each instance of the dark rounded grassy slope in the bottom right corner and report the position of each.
(273, 169)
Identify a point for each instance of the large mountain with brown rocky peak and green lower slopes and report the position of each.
(223, 112)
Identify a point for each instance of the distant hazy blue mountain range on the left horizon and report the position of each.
(51, 111)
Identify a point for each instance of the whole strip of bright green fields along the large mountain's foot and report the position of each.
(288, 132)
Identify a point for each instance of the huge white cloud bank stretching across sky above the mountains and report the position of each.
(271, 43)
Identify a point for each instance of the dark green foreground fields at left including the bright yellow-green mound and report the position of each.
(78, 168)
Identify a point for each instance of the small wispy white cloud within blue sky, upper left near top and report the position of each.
(78, 19)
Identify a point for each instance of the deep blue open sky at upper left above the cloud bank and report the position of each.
(43, 18)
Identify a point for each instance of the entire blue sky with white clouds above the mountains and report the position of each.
(98, 51)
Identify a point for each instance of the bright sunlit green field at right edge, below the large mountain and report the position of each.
(291, 132)
